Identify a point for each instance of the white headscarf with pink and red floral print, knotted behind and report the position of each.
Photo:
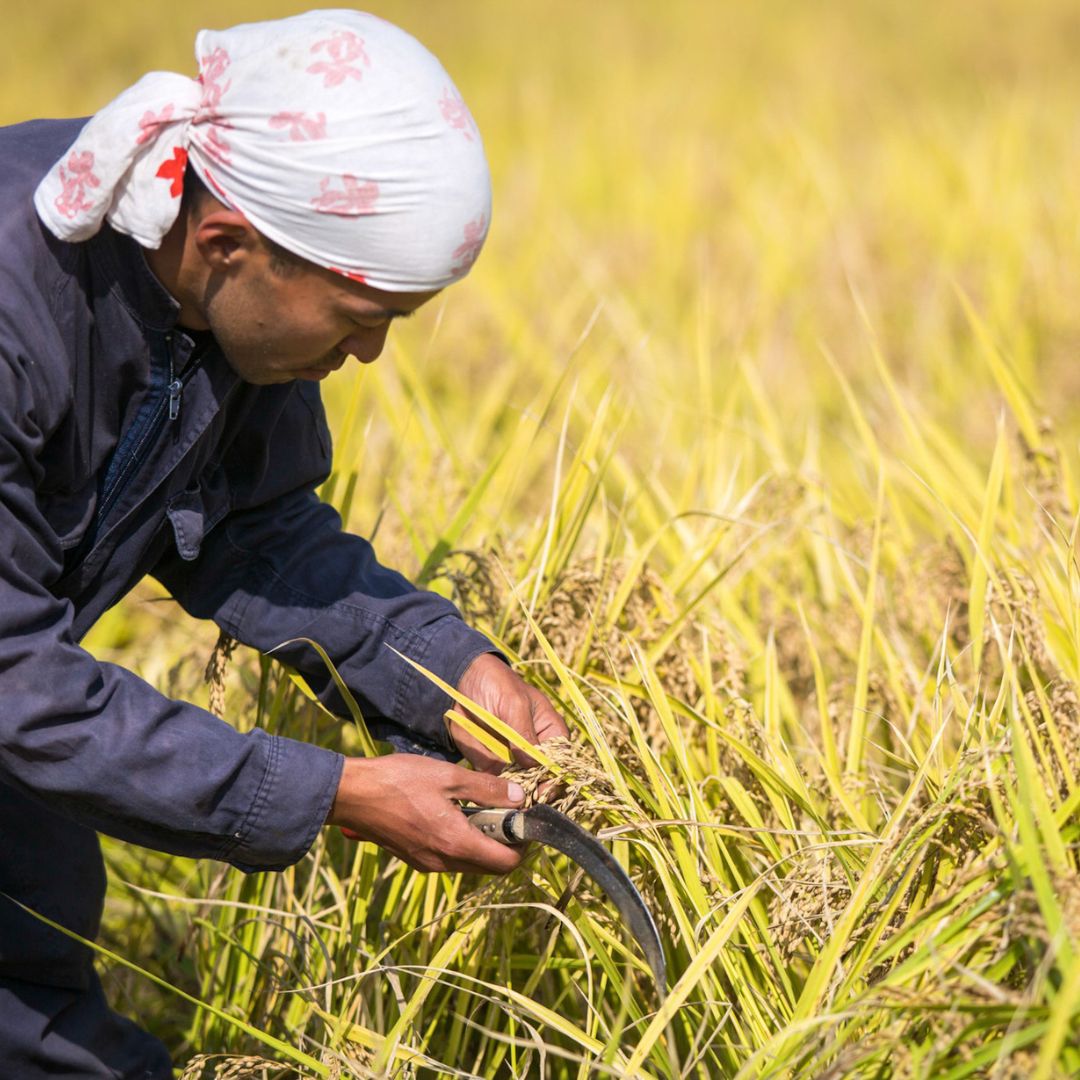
(336, 134)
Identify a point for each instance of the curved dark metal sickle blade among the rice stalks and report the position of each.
(546, 826)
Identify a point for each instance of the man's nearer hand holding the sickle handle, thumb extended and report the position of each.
(411, 807)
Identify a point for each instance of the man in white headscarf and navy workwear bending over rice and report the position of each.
(175, 279)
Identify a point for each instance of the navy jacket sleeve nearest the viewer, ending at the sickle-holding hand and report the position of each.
(93, 741)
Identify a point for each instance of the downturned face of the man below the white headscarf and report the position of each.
(300, 323)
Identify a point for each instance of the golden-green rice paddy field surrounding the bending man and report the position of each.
(752, 440)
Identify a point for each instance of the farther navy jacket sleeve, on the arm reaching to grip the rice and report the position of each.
(279, 568)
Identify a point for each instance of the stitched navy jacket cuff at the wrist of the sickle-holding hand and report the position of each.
(290, 808)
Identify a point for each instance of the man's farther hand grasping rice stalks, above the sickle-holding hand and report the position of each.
(492, 684)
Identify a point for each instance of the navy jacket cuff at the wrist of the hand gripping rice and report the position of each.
(449, 650)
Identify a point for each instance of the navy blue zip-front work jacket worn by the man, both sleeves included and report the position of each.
(123, 455)
